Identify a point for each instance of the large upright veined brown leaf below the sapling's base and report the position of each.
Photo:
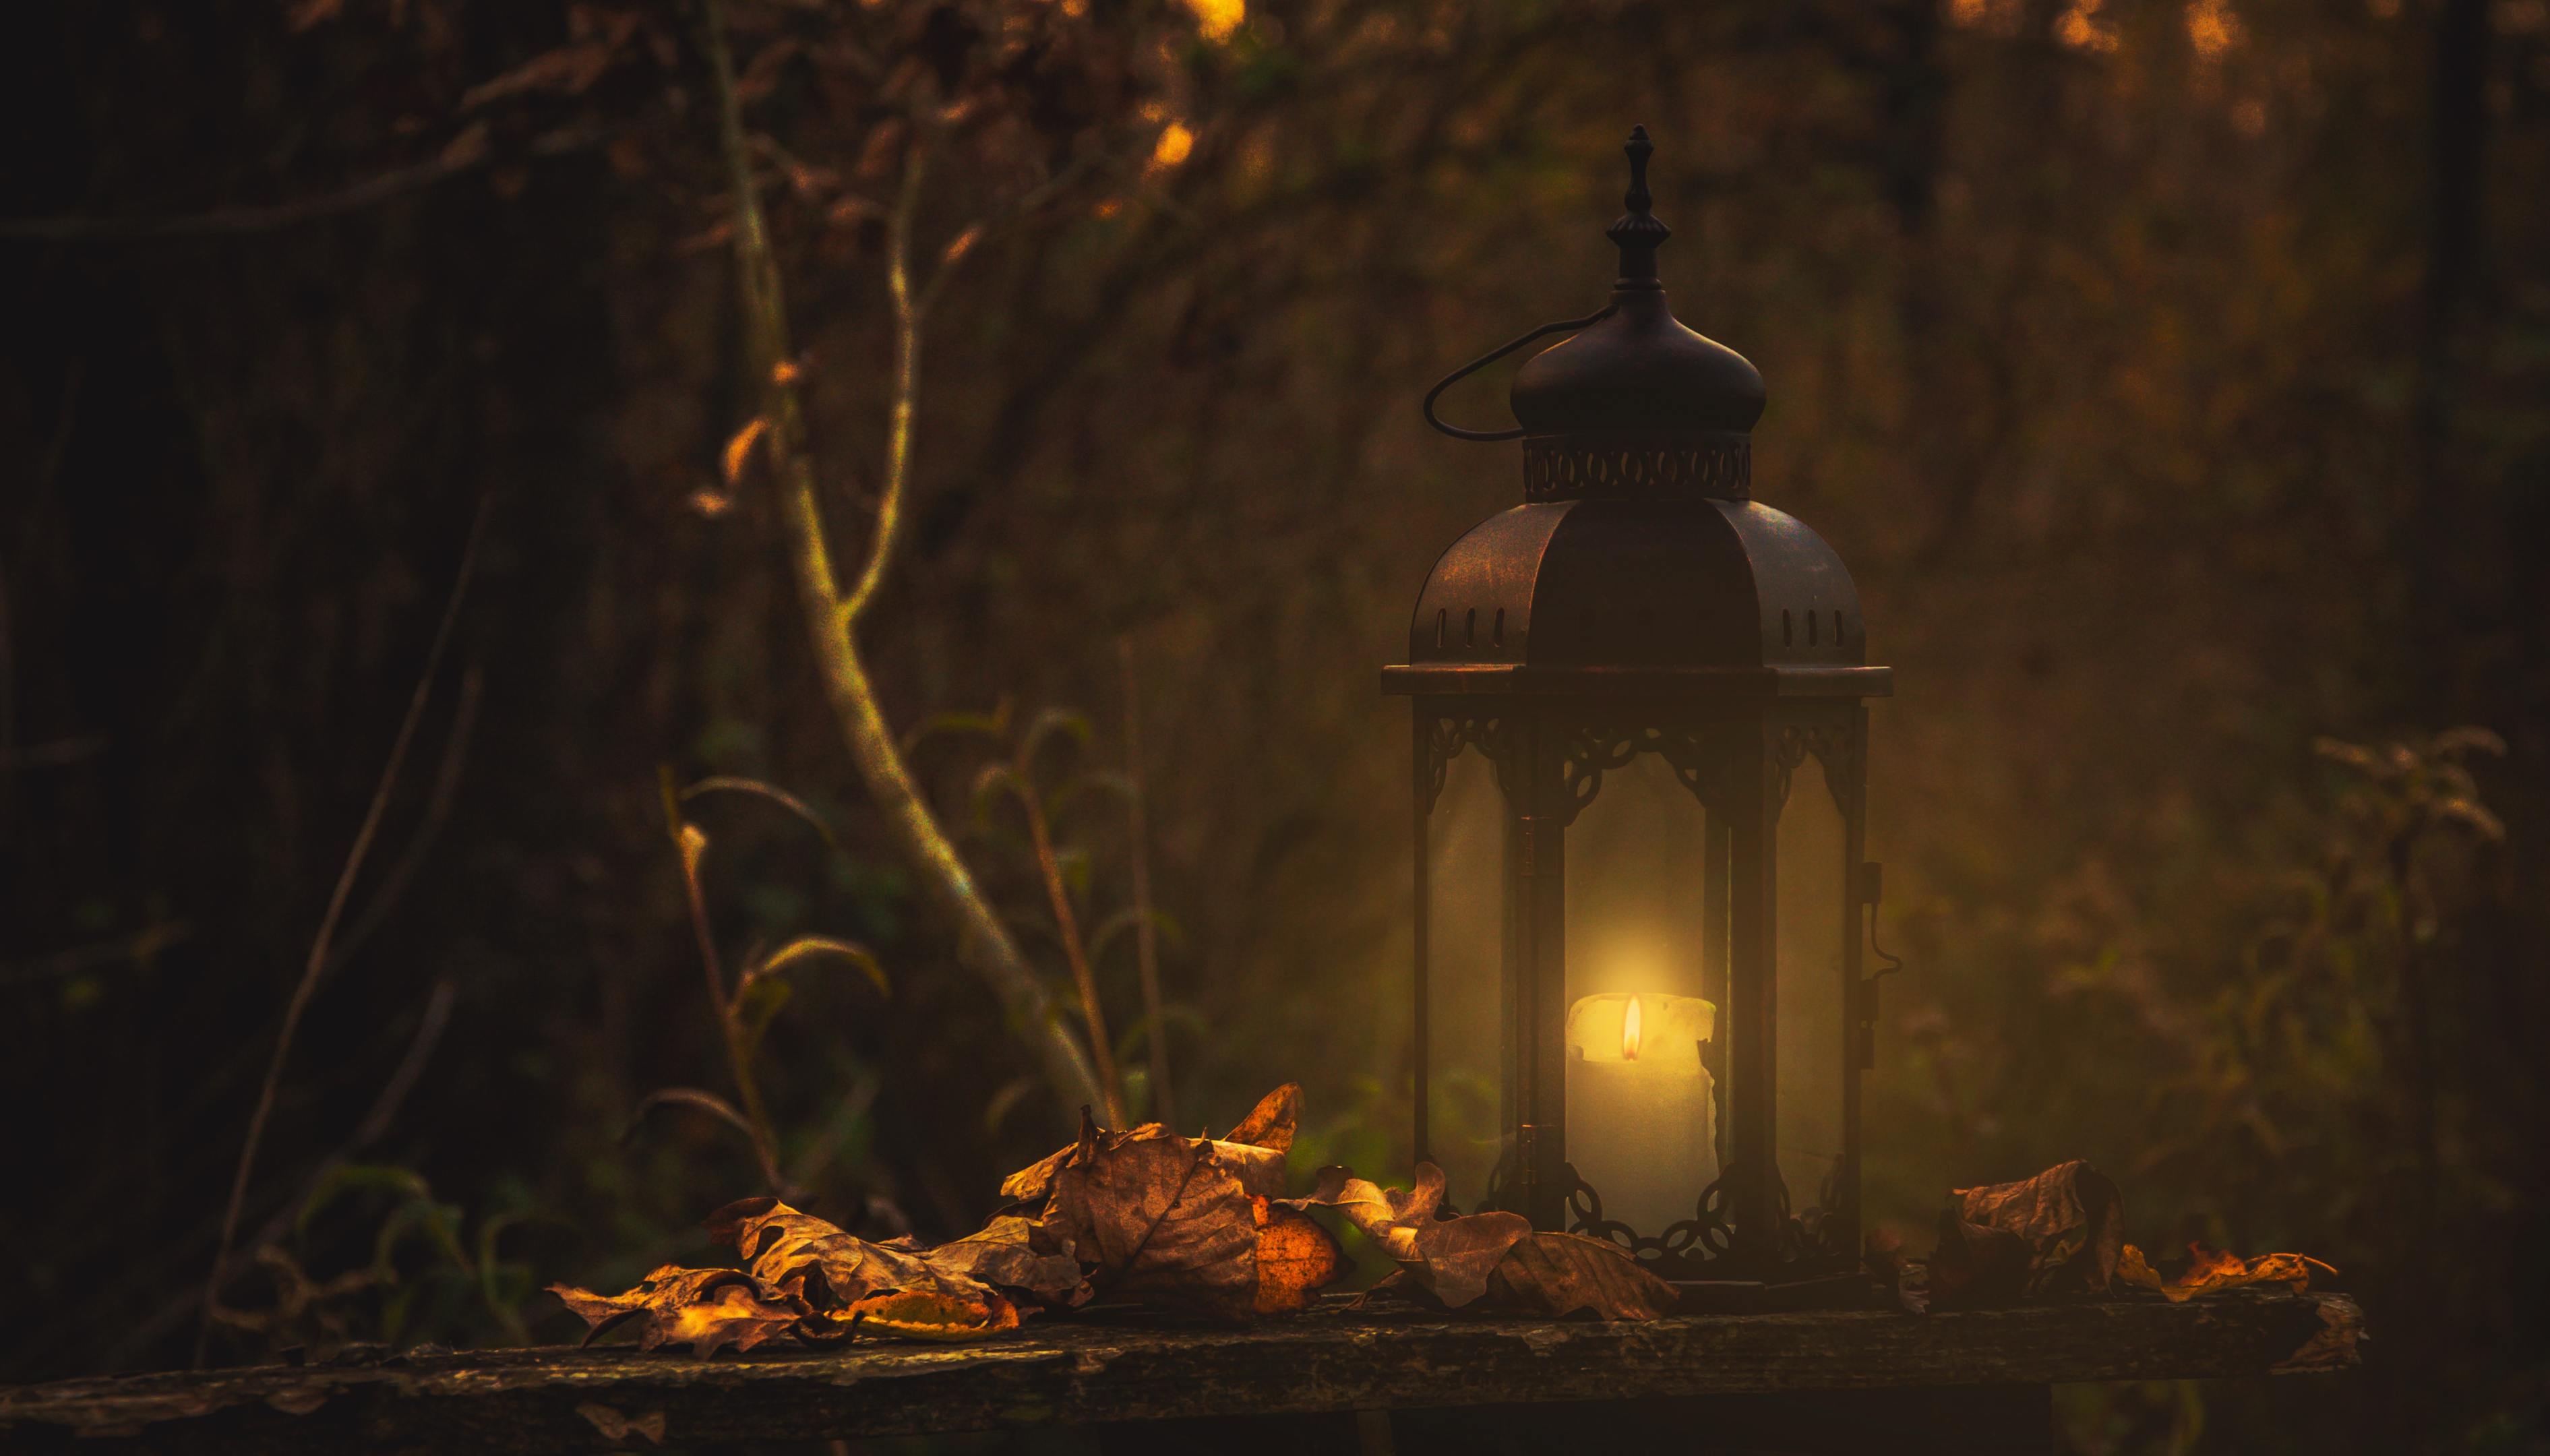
(1164, 1220)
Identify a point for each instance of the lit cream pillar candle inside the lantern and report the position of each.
(1641, 1121)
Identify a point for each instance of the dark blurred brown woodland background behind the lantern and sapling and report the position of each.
(2174, 374)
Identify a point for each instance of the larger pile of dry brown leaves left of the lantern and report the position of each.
(1141, 1218)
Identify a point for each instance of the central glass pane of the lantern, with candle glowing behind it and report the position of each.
(1641, 1008)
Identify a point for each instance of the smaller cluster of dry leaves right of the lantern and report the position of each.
(2054, 1235)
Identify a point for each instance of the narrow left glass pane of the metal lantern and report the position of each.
(1468, 986)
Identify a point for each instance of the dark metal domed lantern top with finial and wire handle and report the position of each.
(1641, 560)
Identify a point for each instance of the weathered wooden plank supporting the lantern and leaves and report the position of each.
(1088, 1373)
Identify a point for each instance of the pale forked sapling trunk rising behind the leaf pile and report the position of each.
(986, 942)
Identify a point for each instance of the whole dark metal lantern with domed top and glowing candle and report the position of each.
(1646, 1021)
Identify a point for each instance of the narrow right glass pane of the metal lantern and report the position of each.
(1812, 1008)
